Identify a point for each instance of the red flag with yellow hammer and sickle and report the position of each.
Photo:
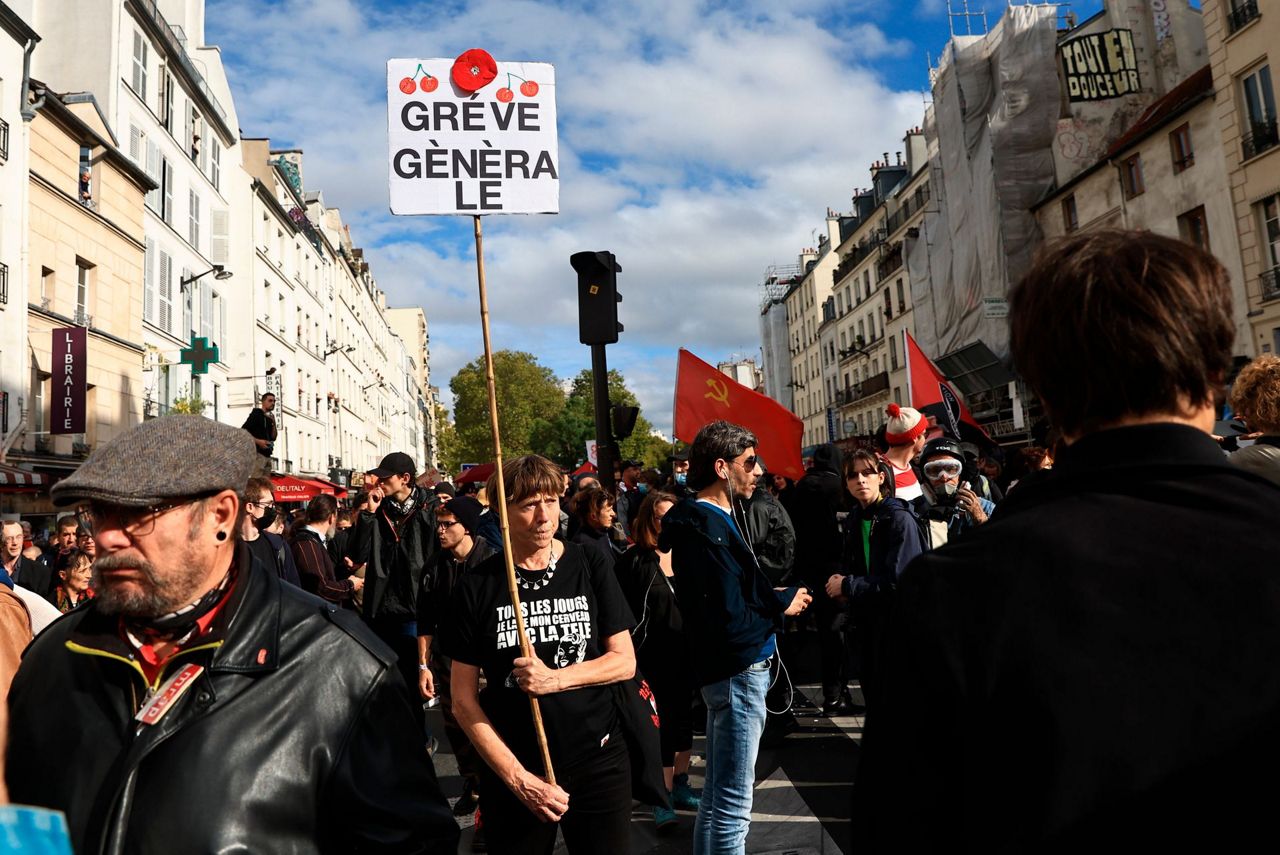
(705, 395)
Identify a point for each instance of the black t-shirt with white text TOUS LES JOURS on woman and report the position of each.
(568, 621)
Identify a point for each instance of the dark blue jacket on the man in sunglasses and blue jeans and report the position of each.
(729, 607)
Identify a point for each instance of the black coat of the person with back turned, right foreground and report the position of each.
(1094, 669)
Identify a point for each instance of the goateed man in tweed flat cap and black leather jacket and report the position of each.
(199, 703)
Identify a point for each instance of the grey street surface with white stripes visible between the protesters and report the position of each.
(802, 792)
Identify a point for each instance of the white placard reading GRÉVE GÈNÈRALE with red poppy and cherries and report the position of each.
(473, 136)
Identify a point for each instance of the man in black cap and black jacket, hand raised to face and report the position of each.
(396, 541)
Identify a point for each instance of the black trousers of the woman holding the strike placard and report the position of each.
(600, 808)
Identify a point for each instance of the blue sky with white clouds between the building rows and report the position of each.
(701, 143)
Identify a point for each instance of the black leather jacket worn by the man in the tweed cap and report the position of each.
(298, 738)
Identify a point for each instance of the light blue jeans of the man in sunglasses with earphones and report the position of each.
(735, 720)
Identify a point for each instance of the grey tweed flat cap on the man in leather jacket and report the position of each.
(162, 460)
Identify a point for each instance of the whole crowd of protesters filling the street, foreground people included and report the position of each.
(1071, 646)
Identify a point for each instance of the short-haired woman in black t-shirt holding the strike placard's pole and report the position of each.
(578, 625)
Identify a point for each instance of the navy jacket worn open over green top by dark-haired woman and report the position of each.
(897, 539)
